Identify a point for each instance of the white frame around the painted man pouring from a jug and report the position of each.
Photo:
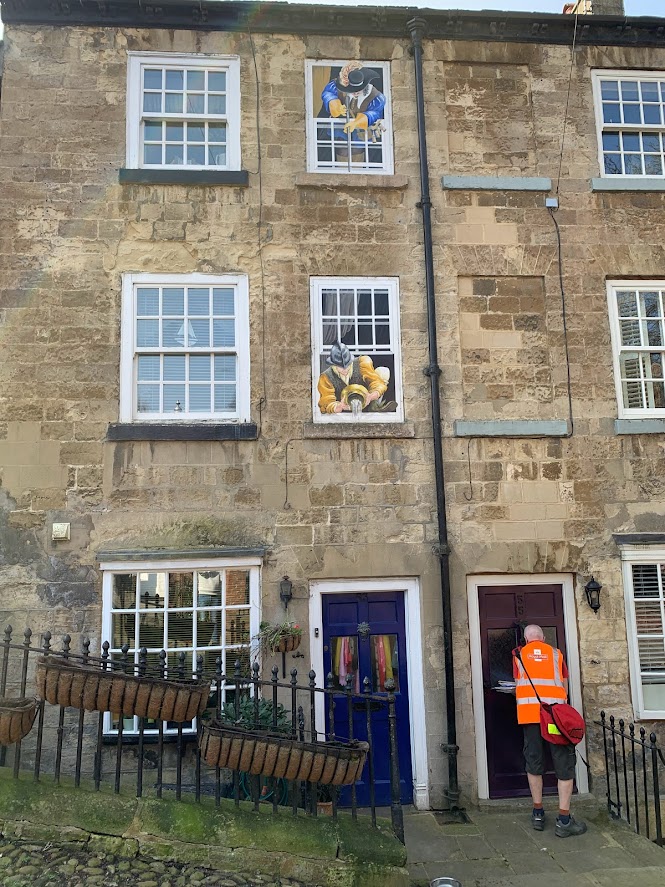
(392, 285)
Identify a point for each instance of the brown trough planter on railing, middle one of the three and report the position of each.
(63, 682)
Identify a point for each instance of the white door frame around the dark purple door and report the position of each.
(573, 662)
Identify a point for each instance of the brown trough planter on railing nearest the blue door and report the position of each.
(329, 763)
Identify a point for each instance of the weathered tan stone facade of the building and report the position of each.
(339, 507)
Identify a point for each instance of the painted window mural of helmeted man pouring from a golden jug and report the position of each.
(356, 367)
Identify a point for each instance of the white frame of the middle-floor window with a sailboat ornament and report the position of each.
(128, 349)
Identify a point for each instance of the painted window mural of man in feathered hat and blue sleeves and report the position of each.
(348, 115)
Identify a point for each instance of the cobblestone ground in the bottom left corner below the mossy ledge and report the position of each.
(24, 864)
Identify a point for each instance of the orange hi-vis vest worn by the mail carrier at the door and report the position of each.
(545, 667)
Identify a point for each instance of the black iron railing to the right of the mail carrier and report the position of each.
(635, 776)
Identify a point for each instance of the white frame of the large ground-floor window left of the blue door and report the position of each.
(109, 568)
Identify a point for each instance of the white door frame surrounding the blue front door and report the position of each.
(414, 653)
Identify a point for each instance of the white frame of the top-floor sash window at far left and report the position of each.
(137, 61)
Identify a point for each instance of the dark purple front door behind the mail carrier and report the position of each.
(504, 612)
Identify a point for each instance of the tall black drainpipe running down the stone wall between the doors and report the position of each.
(417, 28)
